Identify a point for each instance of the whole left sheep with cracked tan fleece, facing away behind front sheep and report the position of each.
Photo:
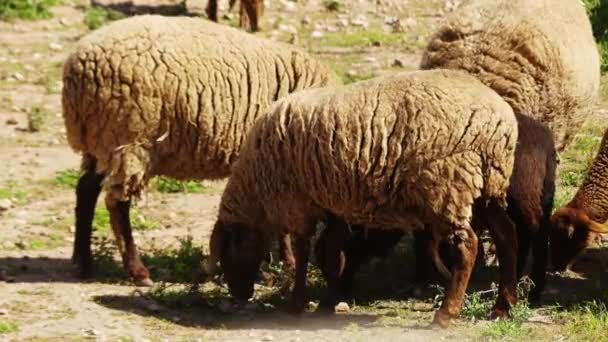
(153, 95)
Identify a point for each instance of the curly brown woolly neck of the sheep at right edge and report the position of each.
(593, 194)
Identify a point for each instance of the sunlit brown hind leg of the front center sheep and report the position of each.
(464, 242)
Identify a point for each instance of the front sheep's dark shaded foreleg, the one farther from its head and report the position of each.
(337, 233)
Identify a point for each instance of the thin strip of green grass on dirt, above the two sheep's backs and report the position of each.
(360, 38)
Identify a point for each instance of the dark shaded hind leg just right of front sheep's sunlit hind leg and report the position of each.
(504, 235)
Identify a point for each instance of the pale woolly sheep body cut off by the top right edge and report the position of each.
(540, 56)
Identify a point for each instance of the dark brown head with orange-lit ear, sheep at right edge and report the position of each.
(572, 232)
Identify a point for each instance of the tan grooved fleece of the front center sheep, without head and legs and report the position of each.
(393, 141)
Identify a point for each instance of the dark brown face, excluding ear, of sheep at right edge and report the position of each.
(568, 238)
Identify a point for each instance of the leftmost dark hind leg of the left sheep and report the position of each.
(87, 192)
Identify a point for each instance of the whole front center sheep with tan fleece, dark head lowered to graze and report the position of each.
(395, 151)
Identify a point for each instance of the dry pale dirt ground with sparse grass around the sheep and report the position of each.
(39, 293)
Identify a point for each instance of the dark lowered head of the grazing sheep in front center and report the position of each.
(240, 250)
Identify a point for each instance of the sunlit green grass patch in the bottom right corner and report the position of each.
(586, 322)
